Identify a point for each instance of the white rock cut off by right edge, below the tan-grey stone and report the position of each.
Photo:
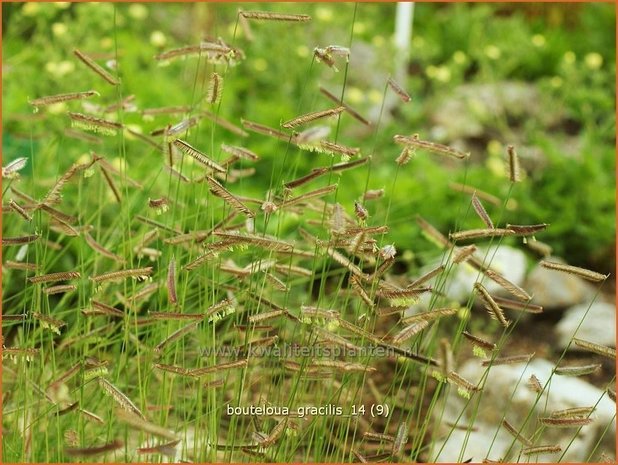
(598, 325)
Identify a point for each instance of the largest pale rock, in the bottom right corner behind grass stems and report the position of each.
(507, 395)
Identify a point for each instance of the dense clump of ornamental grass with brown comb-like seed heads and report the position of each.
(188, 283)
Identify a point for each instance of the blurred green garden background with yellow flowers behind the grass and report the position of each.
(481, 76)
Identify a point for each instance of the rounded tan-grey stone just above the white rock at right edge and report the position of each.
(555, 289)
